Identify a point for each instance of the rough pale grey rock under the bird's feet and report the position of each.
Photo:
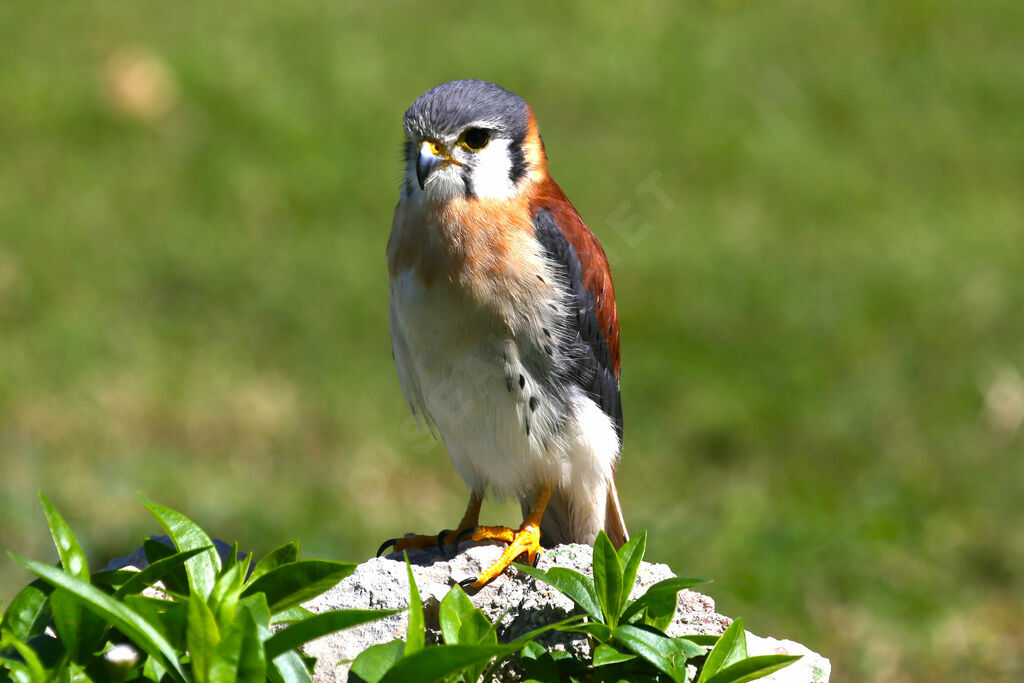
(520, 602)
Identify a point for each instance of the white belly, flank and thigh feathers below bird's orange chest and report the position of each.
(487, 372)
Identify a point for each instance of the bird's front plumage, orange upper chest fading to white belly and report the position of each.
(473, 335)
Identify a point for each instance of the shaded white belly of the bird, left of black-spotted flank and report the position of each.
(460, 368)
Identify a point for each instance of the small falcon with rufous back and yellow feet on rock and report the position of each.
(504, 327)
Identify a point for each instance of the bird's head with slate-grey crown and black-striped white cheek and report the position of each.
(470, 140)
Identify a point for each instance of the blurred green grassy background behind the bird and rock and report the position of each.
(815, 214)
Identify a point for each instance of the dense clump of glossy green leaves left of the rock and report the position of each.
(188, 617)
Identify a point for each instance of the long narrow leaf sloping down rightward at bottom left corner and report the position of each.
(132, 625)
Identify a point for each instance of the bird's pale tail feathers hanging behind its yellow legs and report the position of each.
(566, 523)
